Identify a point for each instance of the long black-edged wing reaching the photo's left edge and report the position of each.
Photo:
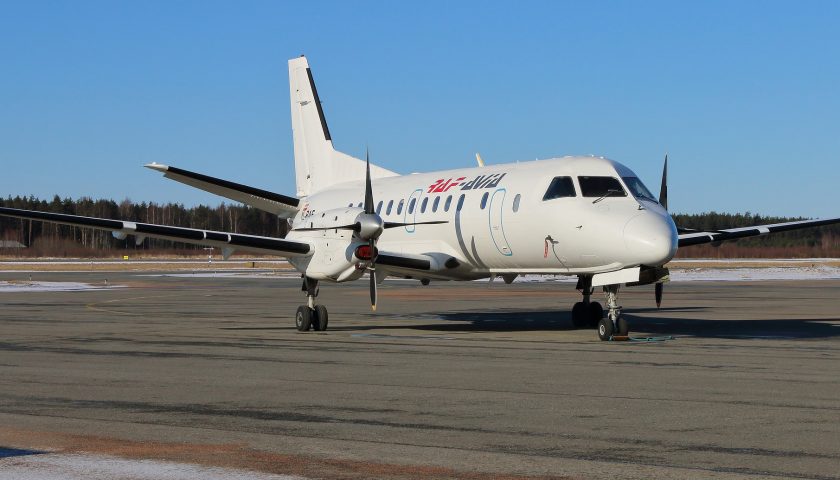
(226, 241)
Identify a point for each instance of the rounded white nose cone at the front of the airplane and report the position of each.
(651, 239)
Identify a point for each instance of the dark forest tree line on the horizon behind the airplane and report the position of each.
(45, 239)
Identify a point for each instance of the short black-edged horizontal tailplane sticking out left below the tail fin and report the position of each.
(280, 205)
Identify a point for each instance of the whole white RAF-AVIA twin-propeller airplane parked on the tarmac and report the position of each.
(585, 216)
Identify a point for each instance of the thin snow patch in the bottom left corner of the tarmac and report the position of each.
(103, 467)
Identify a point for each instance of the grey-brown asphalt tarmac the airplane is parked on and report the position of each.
(451, 380)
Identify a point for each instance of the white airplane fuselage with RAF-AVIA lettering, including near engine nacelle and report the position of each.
(503, 225)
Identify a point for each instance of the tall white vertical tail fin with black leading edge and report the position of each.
(317, 164)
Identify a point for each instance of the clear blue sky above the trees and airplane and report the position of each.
(745, 96)
